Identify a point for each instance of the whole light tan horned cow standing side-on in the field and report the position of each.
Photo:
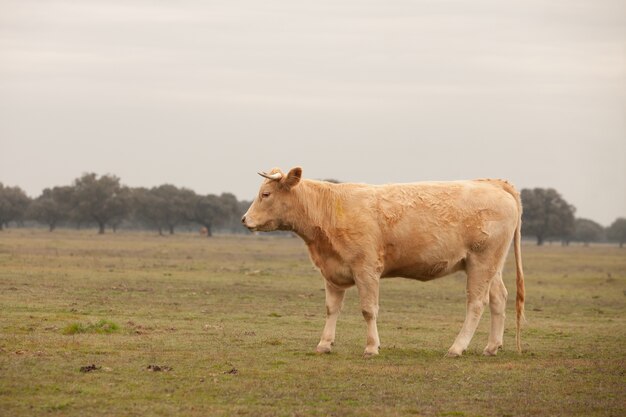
(357, 234)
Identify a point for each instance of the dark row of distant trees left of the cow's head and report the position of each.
(105, 202)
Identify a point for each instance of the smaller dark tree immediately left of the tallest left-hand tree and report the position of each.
(52, 206)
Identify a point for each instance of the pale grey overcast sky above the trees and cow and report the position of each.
(204, 94)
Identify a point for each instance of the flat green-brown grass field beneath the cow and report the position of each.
(185, 325)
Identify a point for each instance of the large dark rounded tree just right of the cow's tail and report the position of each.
(546, 215)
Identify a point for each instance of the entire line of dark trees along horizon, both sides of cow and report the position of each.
(104, 201)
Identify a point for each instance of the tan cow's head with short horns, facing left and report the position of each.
(275, 205)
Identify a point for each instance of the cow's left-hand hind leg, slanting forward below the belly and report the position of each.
(479, 276)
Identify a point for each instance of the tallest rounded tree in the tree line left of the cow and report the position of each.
(101, 200)
